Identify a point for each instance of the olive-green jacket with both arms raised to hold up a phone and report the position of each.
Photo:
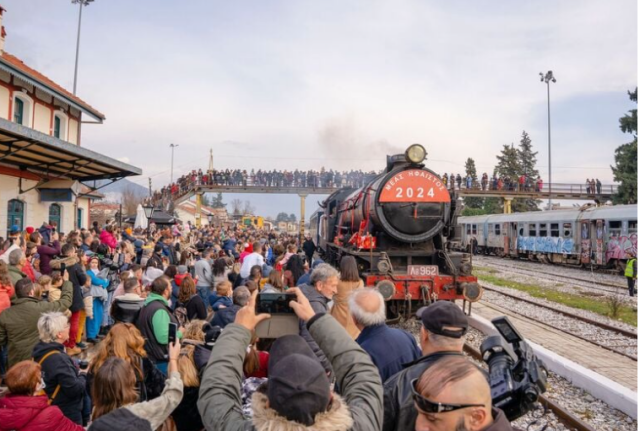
(220, 403)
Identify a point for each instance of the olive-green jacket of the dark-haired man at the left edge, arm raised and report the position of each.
(19, 323)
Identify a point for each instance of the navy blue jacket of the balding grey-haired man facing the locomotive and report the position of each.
(389, 348)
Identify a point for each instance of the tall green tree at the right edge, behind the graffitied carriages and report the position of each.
(626, 157)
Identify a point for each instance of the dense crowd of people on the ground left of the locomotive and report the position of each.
(171, 313)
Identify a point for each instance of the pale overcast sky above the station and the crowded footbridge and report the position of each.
(304, 84)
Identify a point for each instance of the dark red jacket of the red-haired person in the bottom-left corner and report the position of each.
(22, 413)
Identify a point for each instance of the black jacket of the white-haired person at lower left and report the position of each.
(59, 369)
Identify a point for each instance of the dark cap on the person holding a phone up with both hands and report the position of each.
(298, 388)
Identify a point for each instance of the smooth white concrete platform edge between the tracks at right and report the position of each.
(612, 393)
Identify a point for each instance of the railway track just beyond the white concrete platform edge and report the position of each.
(629, 338)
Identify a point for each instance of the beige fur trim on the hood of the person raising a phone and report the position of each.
(338, 418)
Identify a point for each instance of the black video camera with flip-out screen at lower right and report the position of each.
(516, 376)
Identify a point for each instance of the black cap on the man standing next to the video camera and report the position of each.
(444, 314)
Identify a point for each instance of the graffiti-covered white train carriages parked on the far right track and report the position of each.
(599, 236)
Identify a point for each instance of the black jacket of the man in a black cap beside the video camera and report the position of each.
(399, 410)
